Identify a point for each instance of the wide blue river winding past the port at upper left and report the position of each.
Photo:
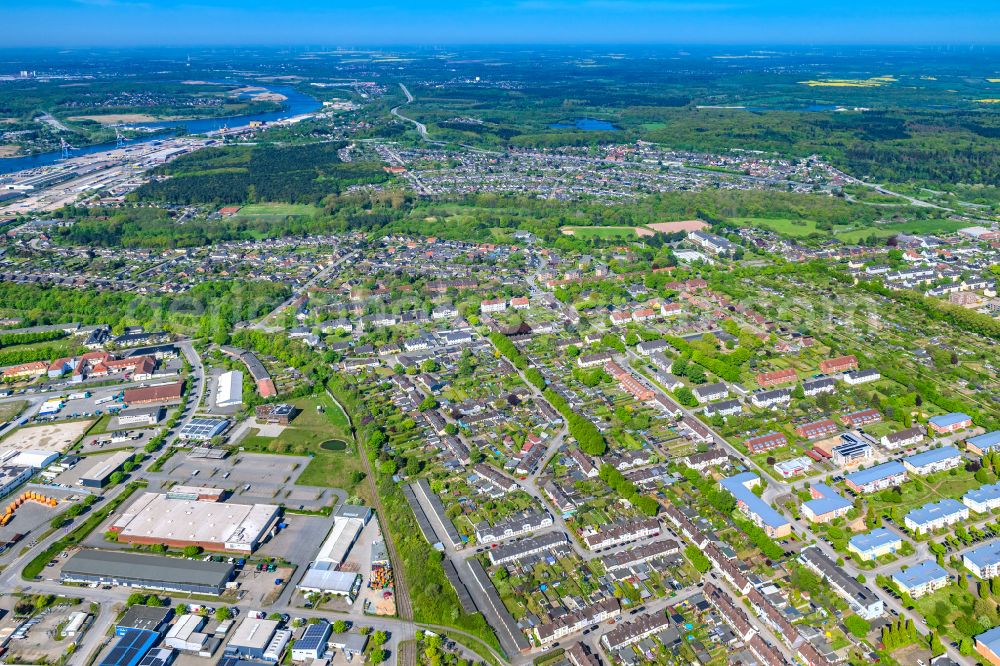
(295, 104)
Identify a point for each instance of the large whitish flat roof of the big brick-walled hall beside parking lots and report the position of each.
(235, 526)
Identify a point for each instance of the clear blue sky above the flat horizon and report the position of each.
(436, 22)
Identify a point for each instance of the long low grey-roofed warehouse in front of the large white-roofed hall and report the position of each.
(147, 571)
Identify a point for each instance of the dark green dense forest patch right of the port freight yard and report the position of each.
(248, 174)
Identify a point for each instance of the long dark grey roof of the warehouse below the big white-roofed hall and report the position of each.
(147, 567)
